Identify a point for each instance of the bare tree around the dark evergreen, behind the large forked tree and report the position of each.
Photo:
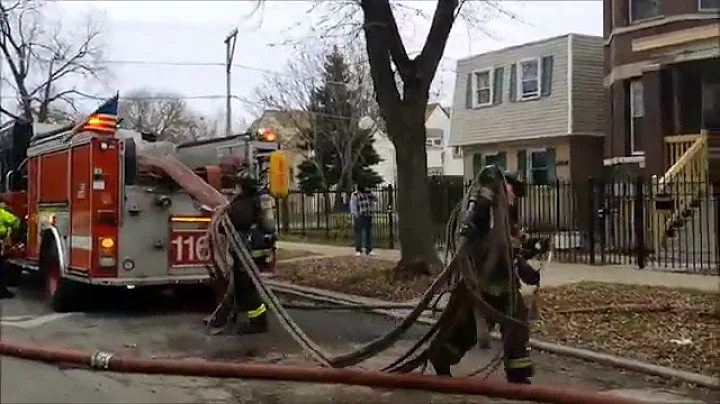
(291, 91)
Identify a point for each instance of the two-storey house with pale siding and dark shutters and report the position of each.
(537, 109)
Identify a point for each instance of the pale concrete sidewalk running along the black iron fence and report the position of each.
(559, 273)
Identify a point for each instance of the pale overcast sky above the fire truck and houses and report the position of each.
(193, 31)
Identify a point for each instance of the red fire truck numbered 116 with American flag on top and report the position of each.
(95, 216)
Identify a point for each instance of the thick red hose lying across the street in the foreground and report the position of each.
(201, 367)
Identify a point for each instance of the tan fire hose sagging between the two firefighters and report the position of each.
(498, 241)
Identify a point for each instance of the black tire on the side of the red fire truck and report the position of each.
(62, 294)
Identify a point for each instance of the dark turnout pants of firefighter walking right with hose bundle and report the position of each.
(516, 358)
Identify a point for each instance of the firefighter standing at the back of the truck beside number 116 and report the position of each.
(246, 214)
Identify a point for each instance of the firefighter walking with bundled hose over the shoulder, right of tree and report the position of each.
(502, 293)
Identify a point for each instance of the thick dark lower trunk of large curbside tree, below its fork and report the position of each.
(418, 252)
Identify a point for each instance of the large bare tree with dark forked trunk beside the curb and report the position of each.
(402, 86)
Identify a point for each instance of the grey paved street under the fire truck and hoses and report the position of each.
(154, 325)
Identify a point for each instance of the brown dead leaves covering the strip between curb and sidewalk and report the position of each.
(679, 328)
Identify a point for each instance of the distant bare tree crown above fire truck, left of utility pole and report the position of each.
(165, 115)
